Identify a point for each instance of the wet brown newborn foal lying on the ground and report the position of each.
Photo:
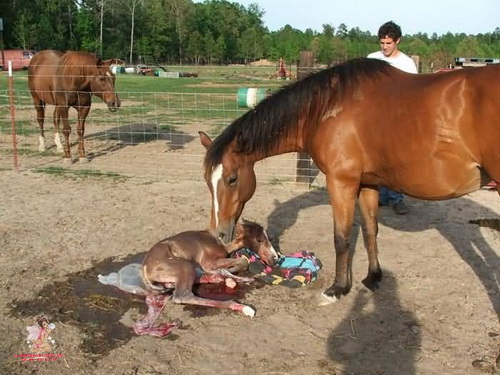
(173, 262)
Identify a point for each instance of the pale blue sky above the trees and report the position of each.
(429, 16)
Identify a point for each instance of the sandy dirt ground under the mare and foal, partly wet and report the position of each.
(435, 313)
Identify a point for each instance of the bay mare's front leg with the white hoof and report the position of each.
(343, 198)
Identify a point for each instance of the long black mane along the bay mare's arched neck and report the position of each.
(261, 129)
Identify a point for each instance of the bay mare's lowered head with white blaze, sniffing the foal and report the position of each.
(231, 183)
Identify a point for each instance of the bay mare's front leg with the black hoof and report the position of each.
(368, 203)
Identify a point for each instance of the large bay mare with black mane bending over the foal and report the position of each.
(364, 124)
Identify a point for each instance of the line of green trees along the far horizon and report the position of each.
(212, 32)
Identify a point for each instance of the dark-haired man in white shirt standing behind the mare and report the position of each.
(389, 36)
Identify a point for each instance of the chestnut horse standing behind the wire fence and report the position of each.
(69, 80)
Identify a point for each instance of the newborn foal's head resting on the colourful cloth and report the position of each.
(254, 237)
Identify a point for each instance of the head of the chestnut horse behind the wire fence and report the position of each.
(102, 84)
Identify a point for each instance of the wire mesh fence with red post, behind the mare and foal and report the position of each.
(154, 135)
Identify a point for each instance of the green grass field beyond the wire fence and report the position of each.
(168, 103)
